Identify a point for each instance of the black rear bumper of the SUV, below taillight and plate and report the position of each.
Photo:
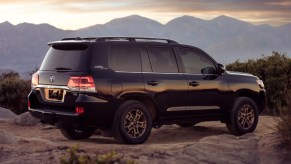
(98, 113)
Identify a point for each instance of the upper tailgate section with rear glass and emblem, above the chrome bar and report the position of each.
(61, 60)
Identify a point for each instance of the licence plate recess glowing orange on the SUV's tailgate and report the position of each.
(55, 94)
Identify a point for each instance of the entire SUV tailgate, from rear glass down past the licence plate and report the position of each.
(63, 60)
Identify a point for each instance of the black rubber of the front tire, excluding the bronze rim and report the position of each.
(241, 102)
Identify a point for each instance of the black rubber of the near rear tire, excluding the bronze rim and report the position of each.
(120, 118)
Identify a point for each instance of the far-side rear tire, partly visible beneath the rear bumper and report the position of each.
(73, 134)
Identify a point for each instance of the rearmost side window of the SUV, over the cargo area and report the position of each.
(125, 58)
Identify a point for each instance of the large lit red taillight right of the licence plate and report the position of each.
(83, 83)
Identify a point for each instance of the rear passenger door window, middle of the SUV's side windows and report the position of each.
(162, 59)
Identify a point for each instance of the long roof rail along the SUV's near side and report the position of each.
(135, 39)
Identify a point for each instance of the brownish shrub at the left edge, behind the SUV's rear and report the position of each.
(13, 92)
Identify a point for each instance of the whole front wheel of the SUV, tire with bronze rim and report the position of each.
(243, 117)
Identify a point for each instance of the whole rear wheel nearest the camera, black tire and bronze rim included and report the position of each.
(133, 123)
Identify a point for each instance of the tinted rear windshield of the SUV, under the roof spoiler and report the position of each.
(66, 57)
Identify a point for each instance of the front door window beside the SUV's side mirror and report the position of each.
(196, 62)
